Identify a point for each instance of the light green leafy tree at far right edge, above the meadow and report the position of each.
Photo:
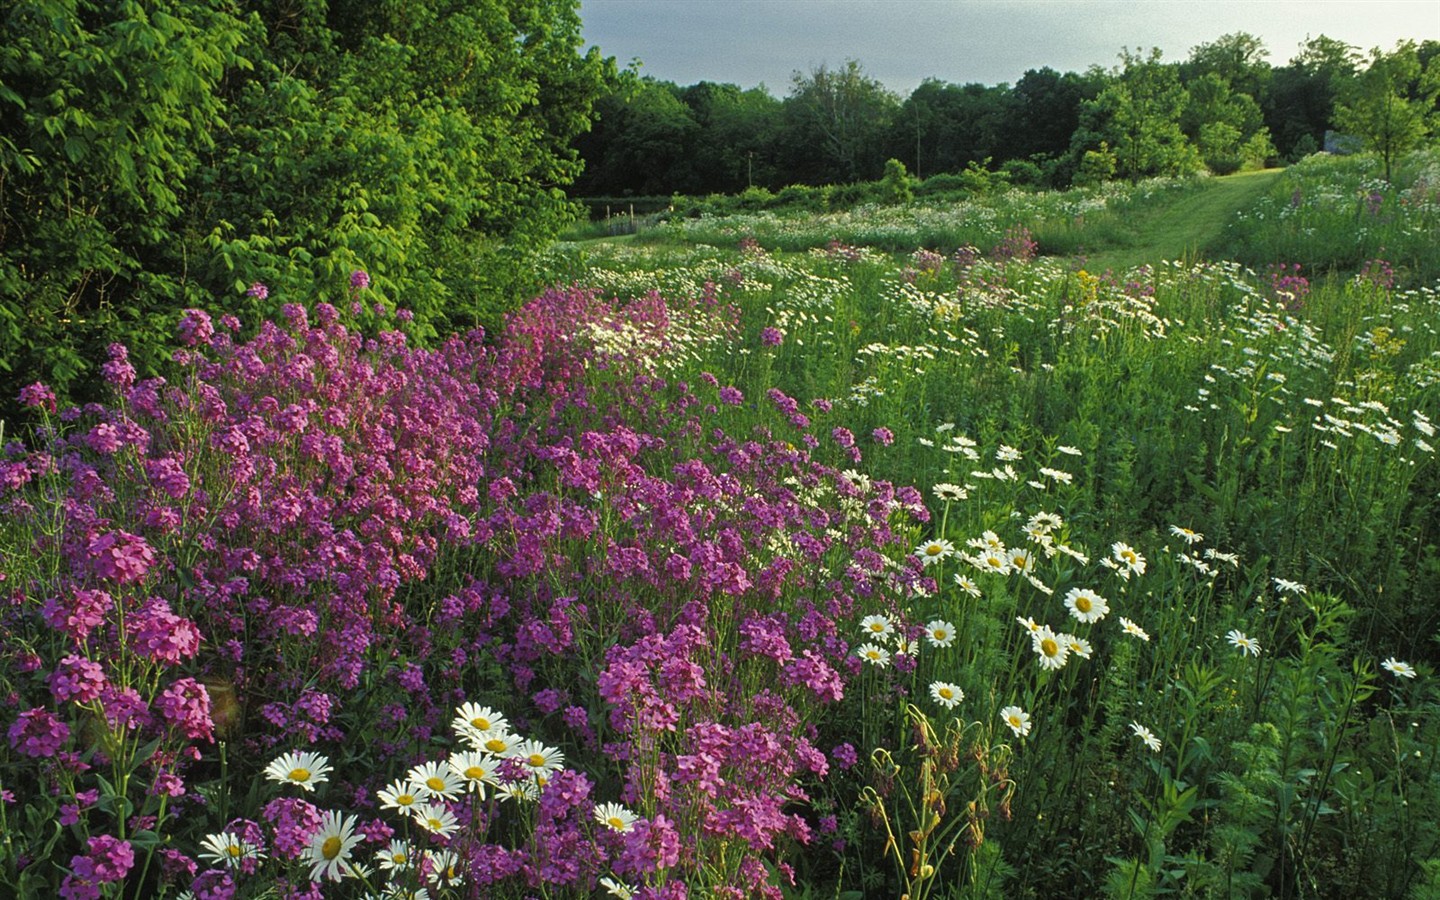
(1392, 104)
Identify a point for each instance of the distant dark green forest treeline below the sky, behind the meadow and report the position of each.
(1223, 109)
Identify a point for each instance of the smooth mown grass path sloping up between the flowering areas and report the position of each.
(1187, 228)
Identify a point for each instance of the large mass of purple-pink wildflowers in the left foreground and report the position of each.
(310, 512)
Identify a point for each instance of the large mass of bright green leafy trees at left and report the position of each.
(171, 153)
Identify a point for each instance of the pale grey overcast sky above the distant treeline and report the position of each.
(904, 42)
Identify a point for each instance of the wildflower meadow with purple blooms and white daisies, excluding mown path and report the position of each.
(902, 552)
